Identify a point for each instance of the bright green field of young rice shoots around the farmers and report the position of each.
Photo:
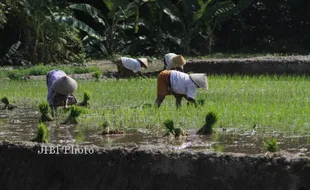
(270, 103)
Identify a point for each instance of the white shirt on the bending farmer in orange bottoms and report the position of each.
(181, 83)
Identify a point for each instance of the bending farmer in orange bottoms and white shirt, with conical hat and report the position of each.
(179, 84)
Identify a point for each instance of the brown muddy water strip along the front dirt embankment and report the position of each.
(20, 125)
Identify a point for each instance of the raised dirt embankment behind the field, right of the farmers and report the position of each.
(256, 65)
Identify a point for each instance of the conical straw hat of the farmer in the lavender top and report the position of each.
(65, 85)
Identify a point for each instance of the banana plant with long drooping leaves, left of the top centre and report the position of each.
(109, 38)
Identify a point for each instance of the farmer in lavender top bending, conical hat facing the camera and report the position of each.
(60, 89)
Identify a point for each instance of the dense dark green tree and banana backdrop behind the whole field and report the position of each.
(65, 31)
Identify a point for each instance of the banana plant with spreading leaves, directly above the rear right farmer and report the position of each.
(193, 15)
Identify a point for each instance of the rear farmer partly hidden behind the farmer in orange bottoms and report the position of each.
(173, 61)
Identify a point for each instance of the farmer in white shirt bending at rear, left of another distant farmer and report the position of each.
(129, 67)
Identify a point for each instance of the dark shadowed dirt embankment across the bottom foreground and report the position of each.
(22, 167)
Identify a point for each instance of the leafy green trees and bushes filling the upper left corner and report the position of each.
(39, 37)
